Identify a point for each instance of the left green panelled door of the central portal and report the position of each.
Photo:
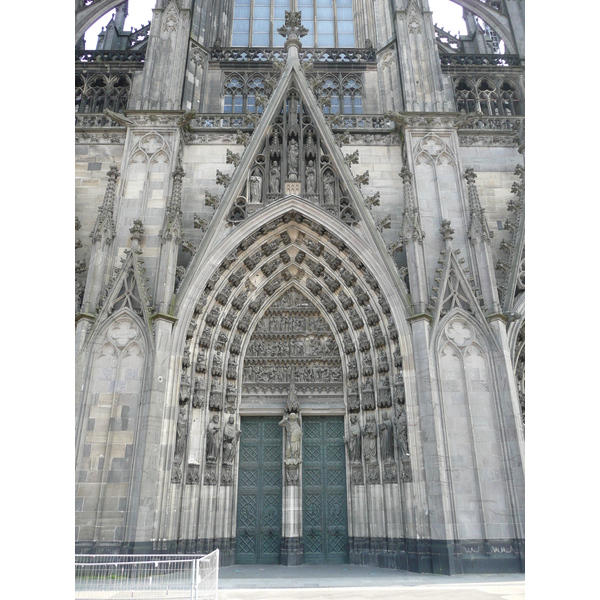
(258, 529)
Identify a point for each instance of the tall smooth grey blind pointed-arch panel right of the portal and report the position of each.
(482, 502)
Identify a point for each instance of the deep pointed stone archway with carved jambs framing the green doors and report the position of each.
(290, 260)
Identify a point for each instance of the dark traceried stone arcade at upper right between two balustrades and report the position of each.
(493, 97)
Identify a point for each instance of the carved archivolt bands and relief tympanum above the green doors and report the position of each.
(288, 325)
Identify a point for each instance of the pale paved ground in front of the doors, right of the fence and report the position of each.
(351, 582)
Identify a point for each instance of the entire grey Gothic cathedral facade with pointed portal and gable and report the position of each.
(300, 284)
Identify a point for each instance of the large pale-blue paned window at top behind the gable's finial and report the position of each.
(329, 22)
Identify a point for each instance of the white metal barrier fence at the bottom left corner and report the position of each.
(146, 577)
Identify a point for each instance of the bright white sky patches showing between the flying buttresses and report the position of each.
(445, 13)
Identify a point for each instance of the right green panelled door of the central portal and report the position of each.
(324, 505)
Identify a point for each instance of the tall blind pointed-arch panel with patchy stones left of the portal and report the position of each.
(107, 428)
